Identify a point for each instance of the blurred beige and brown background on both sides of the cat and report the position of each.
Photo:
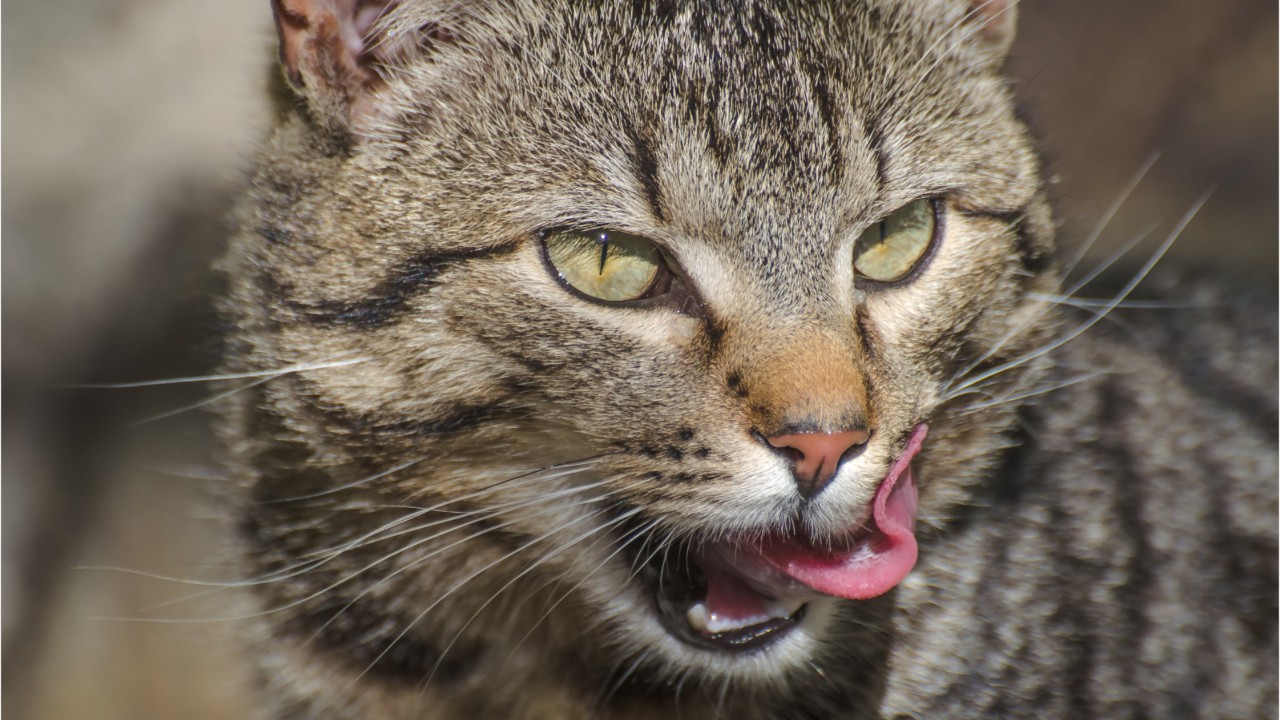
(130, 126)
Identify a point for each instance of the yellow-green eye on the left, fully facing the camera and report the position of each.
(609, 266)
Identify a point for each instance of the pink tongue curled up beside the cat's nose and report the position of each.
(871, 568)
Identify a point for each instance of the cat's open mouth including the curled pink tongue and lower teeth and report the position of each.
(737, 596)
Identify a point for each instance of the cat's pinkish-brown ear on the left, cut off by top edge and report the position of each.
(330, 52)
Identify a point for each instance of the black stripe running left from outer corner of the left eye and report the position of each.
(392, 295)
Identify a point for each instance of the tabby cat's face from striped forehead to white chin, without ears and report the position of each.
(725, 429)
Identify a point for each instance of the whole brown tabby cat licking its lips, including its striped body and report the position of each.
(708, 359)
